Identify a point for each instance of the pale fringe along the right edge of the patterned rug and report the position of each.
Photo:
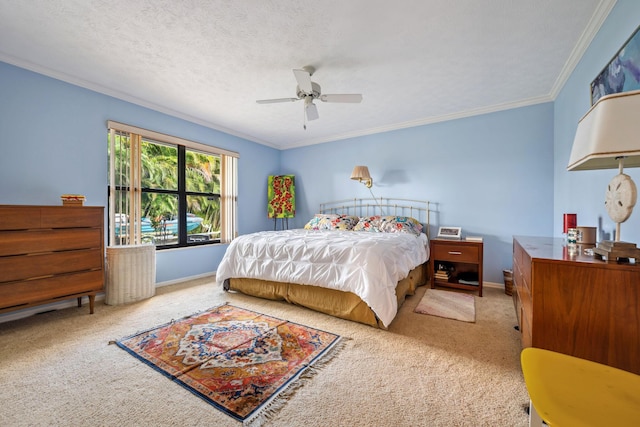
(280, 400)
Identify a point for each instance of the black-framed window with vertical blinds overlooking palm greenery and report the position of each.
(168, 191)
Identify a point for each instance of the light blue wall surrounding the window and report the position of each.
(53, 141)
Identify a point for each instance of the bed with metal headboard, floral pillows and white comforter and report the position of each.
(356, 259)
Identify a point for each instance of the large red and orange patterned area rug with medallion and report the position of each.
(240, 361)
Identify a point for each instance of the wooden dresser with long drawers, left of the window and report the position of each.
(50, 253)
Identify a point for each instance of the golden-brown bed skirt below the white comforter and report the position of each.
(345, 305)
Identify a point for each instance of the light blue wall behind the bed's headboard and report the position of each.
(492, 175)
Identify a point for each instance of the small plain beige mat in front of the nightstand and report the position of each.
(451, 305)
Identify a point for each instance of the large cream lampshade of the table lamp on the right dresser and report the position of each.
(609, 130)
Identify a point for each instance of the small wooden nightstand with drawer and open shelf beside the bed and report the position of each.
(462, 262)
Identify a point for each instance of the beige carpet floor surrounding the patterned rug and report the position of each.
(57, 369)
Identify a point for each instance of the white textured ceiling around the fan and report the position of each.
(414, 62)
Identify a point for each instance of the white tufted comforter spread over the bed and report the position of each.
(367, 264)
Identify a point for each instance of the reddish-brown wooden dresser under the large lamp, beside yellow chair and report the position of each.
(575, 304)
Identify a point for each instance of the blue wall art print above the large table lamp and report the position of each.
(622, 73)
